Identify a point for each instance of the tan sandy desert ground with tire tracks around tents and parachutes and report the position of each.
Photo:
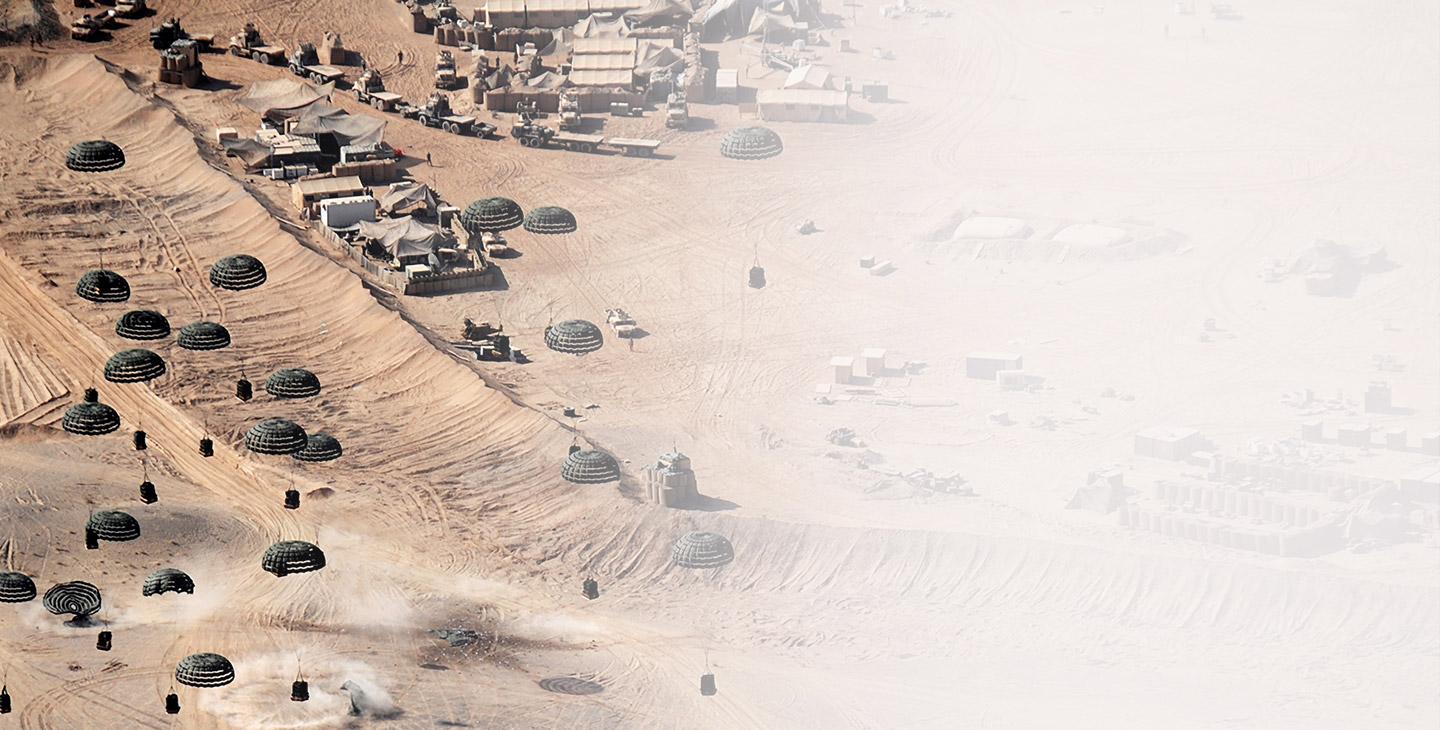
(850, 604)
